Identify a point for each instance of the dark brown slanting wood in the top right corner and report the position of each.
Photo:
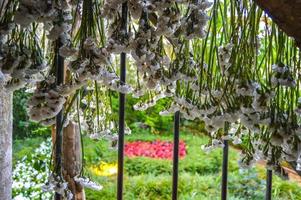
(286, 14)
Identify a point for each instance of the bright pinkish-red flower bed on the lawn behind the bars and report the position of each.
(155, 149)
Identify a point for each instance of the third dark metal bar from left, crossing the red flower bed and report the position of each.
(175, 172)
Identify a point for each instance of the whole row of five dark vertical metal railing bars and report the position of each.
(59, 62)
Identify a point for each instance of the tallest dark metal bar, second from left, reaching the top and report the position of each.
(122, 110)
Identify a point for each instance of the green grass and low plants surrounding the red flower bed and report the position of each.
(199, 173)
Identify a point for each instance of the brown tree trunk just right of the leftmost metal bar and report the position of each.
(72, 159)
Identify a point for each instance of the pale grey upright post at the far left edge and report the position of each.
(5, 144)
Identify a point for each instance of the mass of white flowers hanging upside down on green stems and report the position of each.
(223, 63)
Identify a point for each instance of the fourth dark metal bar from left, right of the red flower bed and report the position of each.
(225, 170)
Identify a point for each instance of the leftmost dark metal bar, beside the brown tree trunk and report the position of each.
(59, 67)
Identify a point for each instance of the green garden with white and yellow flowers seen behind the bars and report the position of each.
(145, 178)
